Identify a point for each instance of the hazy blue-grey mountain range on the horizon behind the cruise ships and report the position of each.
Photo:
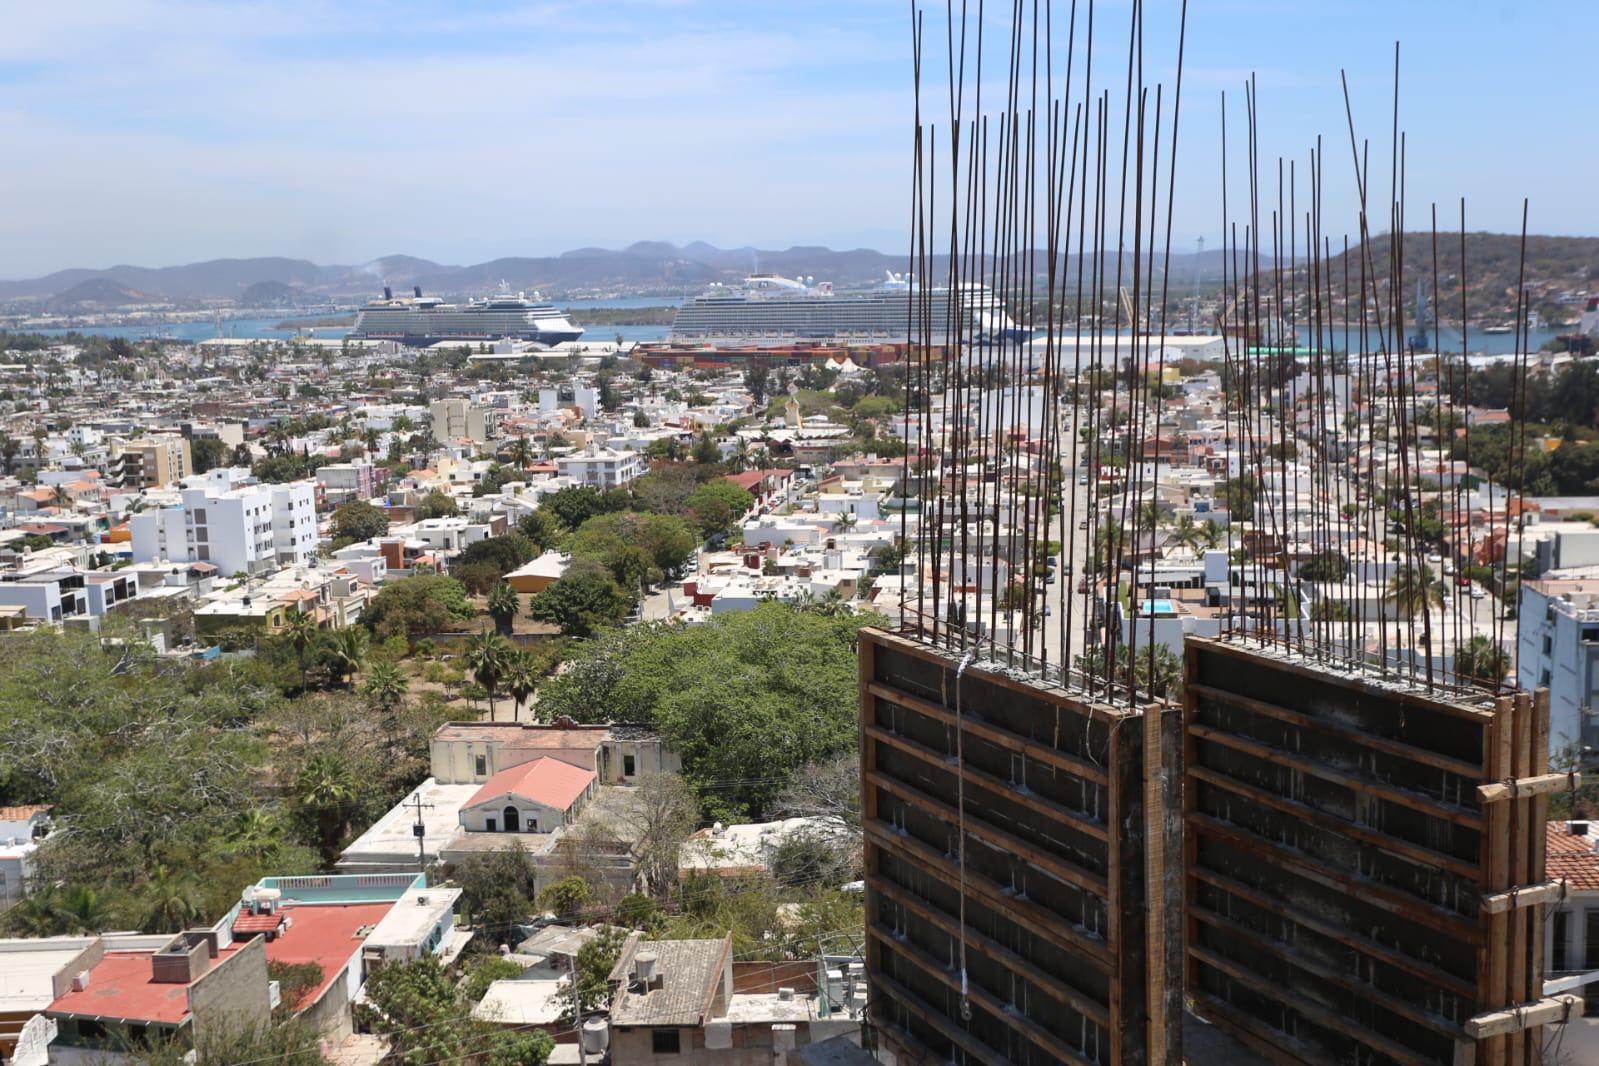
(645, 266)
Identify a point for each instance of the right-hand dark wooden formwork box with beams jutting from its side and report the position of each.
(1362, 883)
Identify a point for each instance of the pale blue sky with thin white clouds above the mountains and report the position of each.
(165, 132)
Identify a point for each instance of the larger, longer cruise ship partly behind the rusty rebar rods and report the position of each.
(770, 306)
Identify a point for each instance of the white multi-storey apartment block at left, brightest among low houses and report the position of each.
(241, 531)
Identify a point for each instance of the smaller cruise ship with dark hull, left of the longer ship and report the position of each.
(423, 320)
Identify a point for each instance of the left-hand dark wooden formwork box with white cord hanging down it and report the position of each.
(1019, 902)
